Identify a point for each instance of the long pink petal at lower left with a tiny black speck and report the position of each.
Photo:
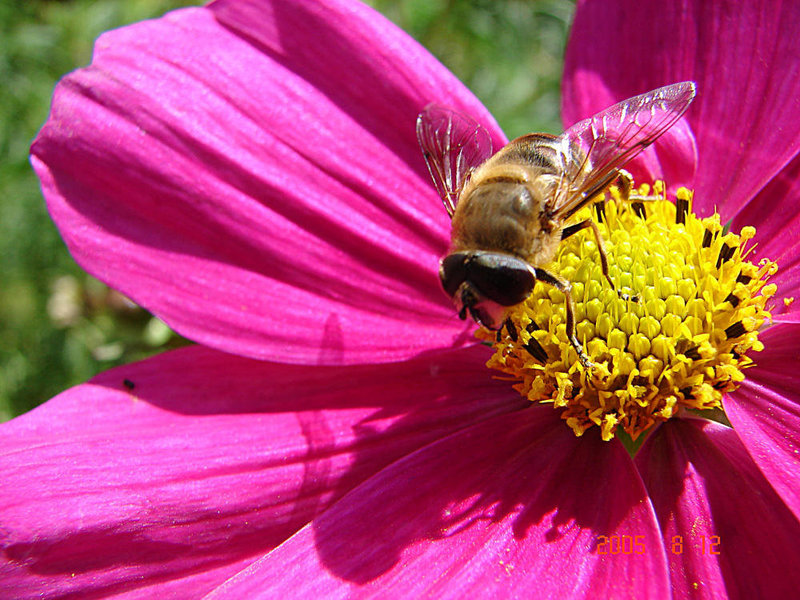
(208, 462)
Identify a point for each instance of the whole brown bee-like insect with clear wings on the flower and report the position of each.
(511, 210)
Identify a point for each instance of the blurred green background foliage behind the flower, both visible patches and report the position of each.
(59, 326)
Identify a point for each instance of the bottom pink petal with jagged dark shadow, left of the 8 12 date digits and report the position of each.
(513, 507)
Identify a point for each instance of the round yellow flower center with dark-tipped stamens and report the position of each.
(681, 343)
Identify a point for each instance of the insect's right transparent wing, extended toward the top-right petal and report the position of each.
(594, 149)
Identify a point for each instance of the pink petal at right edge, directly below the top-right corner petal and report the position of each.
(775, 212)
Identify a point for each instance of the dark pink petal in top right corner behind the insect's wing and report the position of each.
(744, 59)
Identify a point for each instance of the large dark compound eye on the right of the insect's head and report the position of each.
(504, 279)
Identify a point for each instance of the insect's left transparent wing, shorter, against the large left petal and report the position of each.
(453, 145)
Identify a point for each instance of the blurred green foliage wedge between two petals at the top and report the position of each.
(509, 53)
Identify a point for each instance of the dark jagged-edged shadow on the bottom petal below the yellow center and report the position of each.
(526, 467)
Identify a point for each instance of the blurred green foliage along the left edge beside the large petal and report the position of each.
(58, 326)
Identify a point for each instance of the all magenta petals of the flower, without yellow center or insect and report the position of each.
(249, 172)
